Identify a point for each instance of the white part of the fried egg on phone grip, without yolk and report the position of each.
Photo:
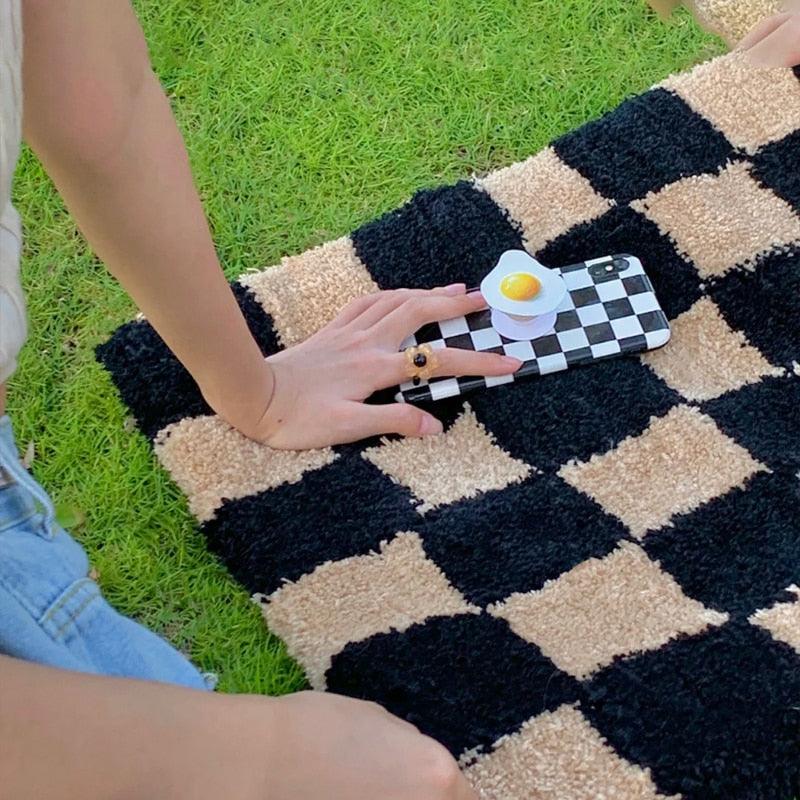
(548, 299)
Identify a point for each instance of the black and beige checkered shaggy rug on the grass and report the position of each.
(588, 585)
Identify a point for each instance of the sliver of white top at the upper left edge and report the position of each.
(12, 306)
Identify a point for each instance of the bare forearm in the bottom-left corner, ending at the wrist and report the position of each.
(68, 735)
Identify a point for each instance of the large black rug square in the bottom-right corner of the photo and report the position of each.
(700, 704)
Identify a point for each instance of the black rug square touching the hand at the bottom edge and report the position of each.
(464, 680)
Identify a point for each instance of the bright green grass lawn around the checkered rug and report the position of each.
(302, 120)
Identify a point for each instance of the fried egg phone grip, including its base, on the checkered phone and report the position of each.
(524, 296)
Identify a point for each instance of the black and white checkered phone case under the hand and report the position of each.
(600, 317)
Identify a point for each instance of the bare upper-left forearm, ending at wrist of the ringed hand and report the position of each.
(109, 141)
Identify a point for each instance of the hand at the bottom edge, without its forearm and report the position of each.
(324, 745)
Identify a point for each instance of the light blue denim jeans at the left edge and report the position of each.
(51, 612)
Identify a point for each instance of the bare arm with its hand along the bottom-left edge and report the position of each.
(72, 736)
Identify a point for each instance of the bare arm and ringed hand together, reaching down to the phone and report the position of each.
(97, 117)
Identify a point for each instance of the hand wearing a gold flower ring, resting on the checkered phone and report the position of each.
(321, 383)
